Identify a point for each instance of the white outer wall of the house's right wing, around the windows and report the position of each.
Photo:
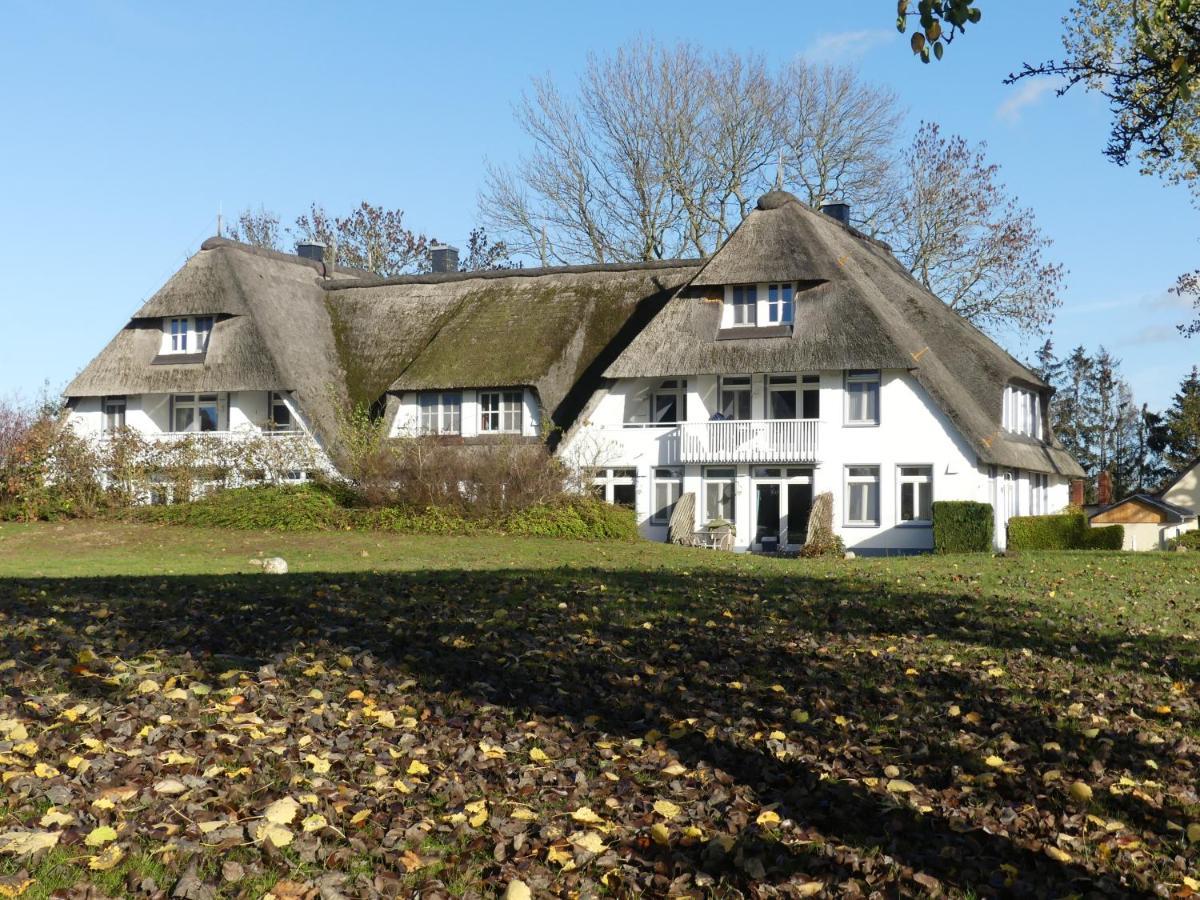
(913, 431)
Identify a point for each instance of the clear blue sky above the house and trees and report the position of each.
(129, 125)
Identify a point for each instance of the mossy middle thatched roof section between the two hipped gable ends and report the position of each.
(549, 329)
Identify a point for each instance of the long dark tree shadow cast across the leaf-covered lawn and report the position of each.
(628, 652)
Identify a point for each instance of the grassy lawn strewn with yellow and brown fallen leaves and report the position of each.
(446, 717)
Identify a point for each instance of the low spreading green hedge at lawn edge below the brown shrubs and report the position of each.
(320, 508)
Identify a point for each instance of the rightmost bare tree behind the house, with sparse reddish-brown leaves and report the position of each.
(967, 239)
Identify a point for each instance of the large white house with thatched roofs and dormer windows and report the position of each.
(800, 359)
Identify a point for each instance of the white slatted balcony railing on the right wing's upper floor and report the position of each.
(758, 441)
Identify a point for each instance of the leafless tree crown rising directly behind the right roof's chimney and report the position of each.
(838, 135)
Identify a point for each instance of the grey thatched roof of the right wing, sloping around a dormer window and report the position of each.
(856, 308)
